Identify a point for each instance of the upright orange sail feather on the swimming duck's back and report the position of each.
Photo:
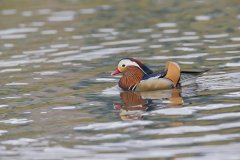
(173, 72)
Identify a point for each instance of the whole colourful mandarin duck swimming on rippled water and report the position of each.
(138, 77)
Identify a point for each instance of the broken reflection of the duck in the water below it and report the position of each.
(135, 104)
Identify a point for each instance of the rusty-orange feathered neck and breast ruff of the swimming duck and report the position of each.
(131, 78)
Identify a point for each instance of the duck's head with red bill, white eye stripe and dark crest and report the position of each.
(124, 64)
